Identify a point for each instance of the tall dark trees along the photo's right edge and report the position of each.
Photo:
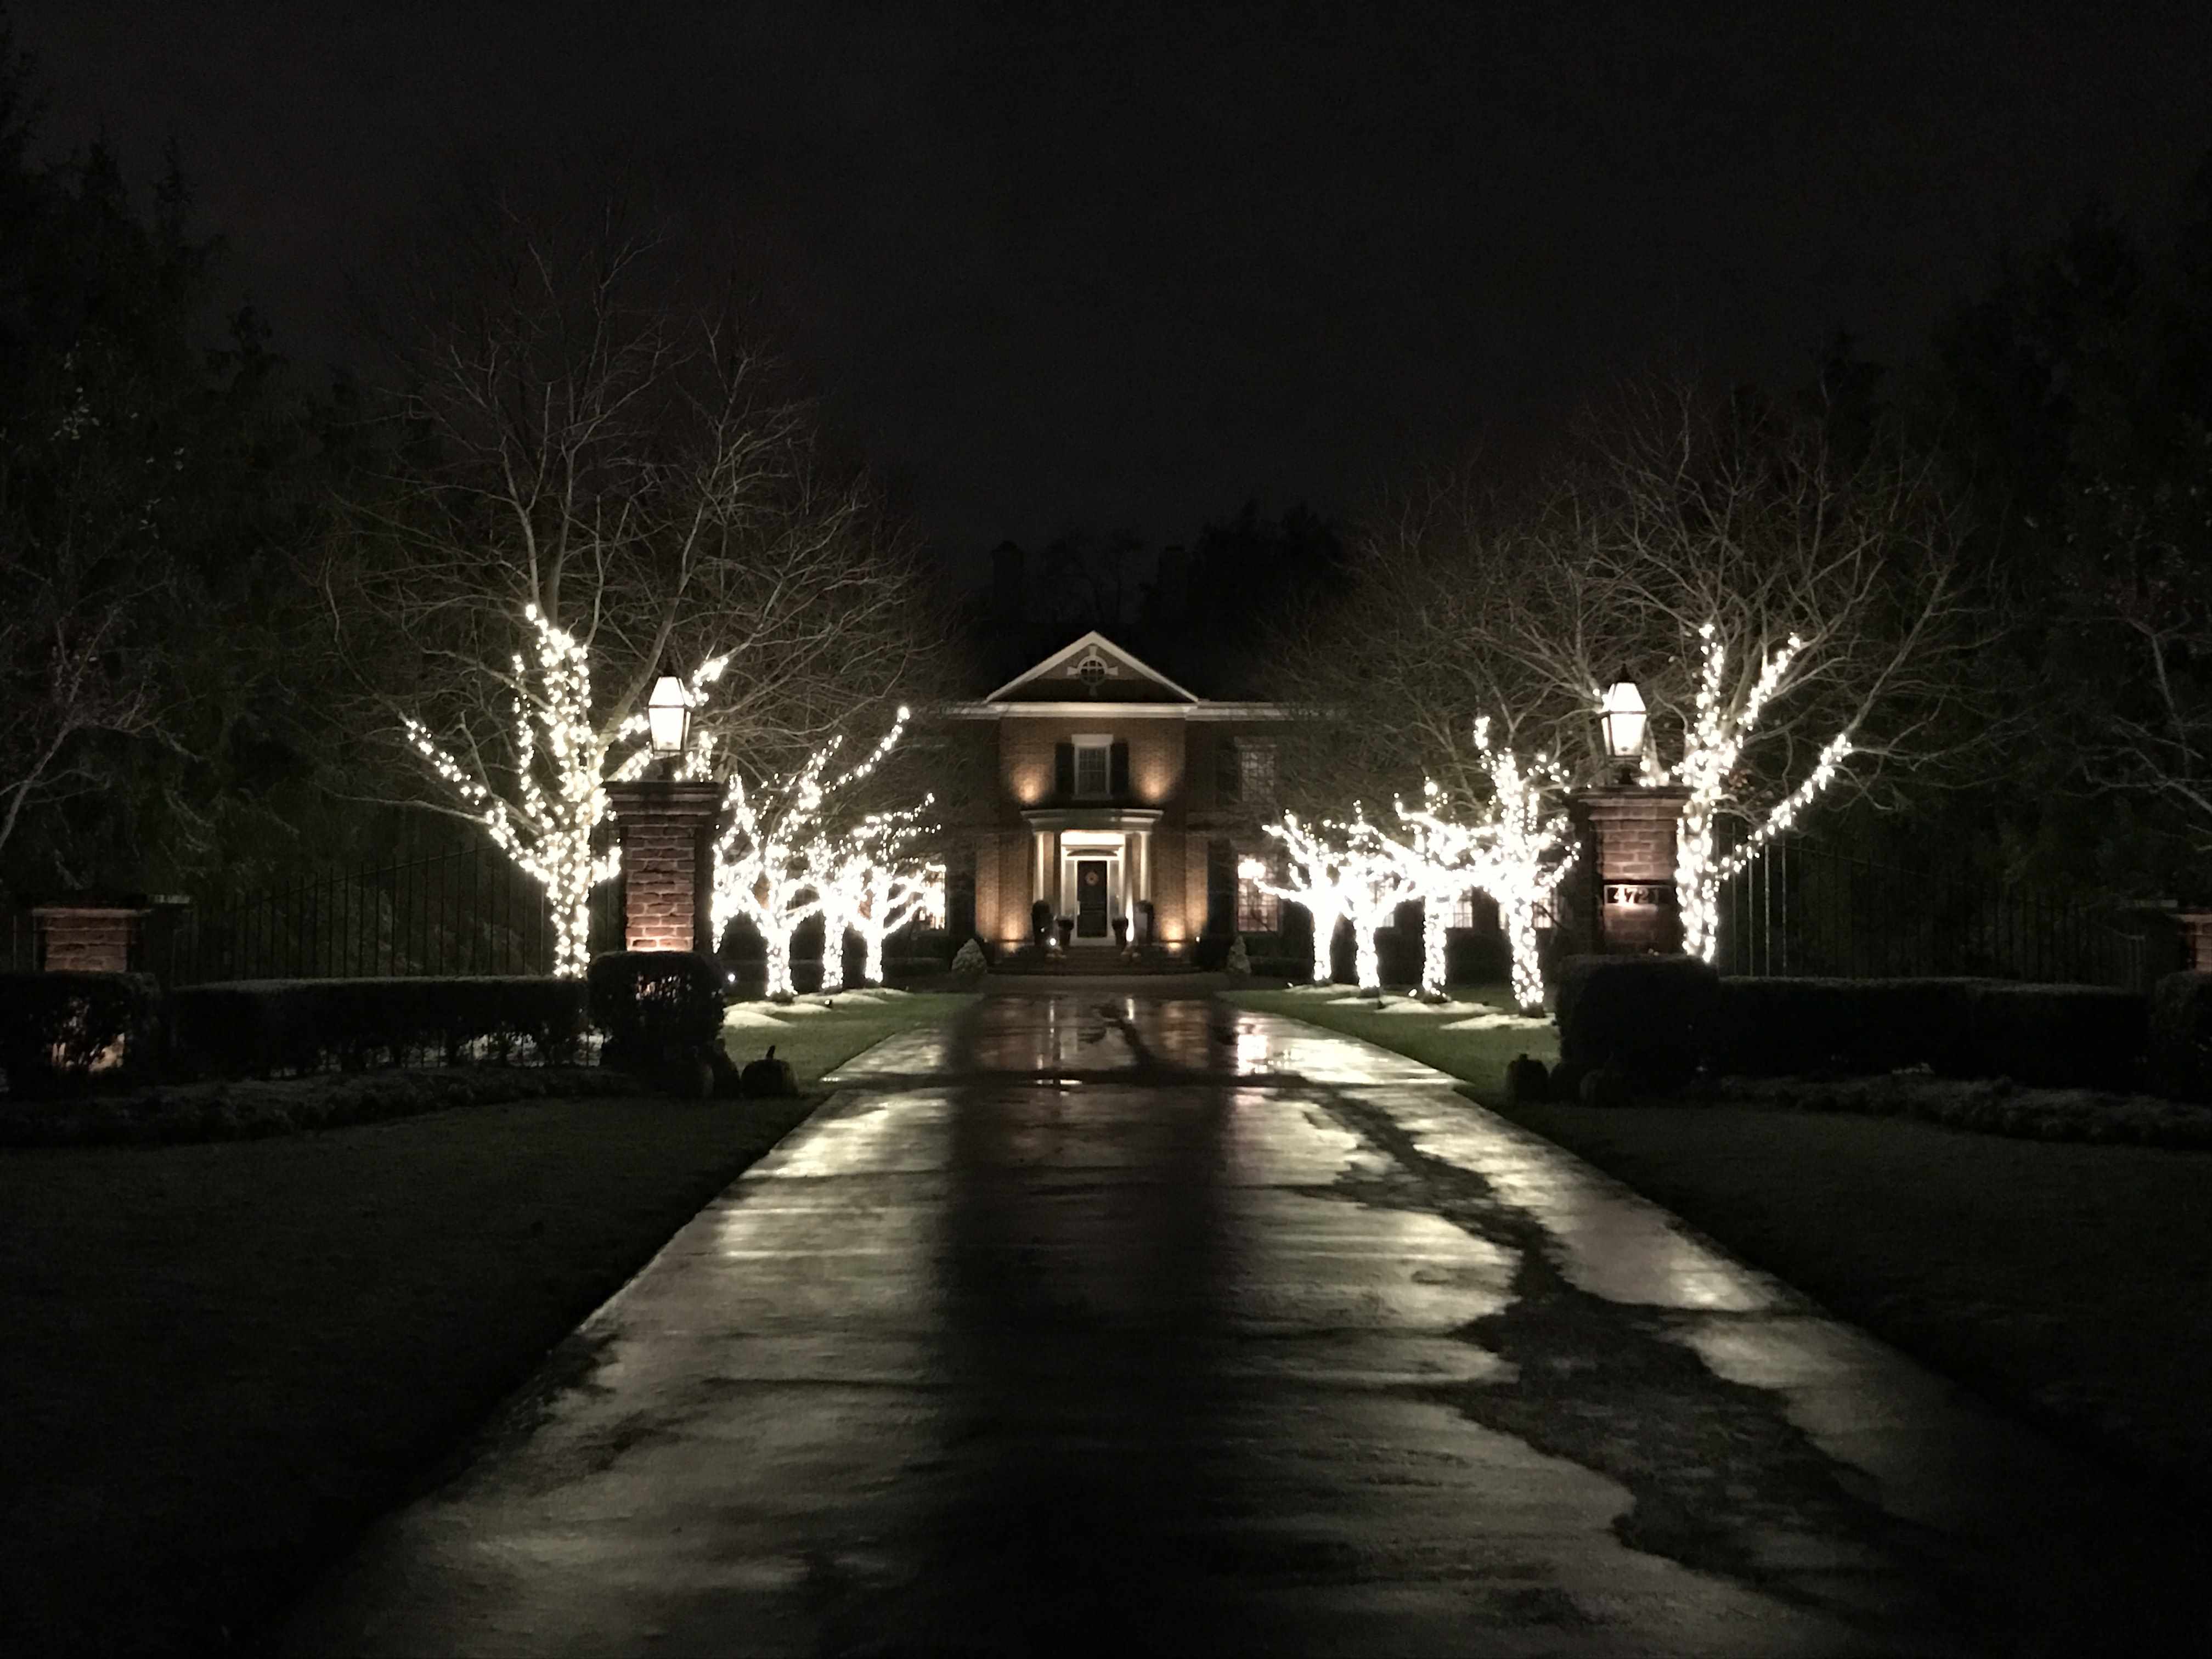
(2072, 410)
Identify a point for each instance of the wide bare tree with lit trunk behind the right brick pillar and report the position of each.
(1788, 614)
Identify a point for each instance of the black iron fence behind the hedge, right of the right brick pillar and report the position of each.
(1808, 910)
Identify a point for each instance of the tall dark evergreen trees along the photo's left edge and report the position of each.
(160, 477)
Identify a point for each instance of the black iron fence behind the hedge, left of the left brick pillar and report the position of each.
(446, 912)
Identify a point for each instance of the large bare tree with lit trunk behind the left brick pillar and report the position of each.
(585, 461)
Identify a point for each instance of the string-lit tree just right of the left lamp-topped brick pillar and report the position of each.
(769, 857)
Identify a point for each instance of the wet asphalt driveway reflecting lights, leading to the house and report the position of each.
(1120, 1324)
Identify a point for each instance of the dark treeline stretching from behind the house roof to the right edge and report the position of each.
(2063, 421)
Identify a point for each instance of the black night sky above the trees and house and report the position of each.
(1118, 267)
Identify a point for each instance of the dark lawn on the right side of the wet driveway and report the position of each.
(2058, 1280)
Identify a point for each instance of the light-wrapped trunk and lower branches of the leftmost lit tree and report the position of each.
(545, 808)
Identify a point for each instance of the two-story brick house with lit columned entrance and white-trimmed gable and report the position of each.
(1114, 789)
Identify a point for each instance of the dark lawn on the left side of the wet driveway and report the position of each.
(220, 1361)
